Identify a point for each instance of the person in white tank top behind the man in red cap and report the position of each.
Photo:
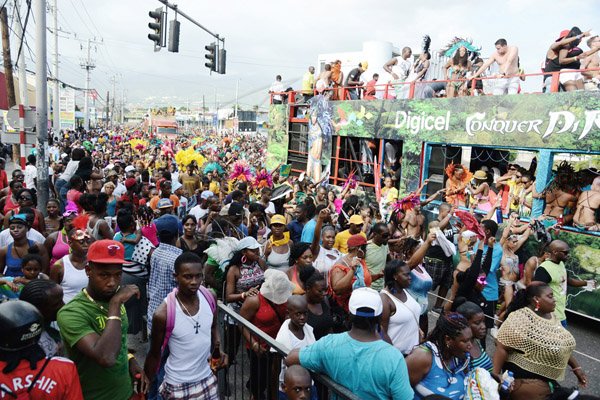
(69, 271)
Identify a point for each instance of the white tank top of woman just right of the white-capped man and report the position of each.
(403, 328)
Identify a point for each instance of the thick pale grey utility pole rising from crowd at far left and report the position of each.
(41, 102)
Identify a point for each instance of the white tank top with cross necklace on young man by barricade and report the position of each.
(188, 350)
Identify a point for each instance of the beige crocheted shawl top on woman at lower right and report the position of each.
(538, 345)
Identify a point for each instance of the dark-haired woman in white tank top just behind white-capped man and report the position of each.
(400, 316)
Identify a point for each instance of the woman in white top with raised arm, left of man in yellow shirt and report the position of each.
(324, 255)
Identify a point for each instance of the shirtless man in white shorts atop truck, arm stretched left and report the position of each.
(507, 58)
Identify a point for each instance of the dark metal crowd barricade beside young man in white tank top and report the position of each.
(235, 382)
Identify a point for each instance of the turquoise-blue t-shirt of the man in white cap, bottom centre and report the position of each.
(371, 370)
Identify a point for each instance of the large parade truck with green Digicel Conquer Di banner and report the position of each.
(416, 139)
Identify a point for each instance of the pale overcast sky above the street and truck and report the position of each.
(264, 38)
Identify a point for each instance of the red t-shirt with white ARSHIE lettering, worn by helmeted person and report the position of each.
(58, 381)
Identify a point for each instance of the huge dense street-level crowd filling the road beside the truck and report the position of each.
(145, 235)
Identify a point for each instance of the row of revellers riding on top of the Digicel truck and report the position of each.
(462, 72)
